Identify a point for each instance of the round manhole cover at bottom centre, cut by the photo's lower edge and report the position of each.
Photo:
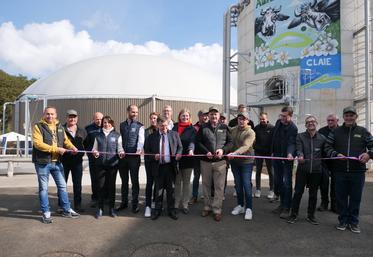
(161, 250)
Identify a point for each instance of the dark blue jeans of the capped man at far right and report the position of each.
(349, 189)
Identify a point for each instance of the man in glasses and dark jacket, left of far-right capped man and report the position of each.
(310, 146)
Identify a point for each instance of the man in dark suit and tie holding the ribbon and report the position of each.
(166, 147)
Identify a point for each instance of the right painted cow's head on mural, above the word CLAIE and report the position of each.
(316, 14)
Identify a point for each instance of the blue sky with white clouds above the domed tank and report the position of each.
(40, 36)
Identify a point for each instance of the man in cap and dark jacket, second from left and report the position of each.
(74, 163)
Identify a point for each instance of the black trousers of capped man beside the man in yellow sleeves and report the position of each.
(76, 174)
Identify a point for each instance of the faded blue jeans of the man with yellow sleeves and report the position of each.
(56, 170)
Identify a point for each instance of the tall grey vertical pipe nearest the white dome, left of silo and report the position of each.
(226, 61)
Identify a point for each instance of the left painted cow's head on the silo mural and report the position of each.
(266, 23)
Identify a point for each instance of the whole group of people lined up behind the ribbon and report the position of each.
(173, 150)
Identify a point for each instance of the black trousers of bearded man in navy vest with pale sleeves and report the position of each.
(131, 165)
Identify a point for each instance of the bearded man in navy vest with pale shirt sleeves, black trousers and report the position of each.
(133, 137)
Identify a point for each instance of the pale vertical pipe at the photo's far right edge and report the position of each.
(367, 65)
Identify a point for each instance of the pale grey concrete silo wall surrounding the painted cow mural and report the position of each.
(317, 102)
